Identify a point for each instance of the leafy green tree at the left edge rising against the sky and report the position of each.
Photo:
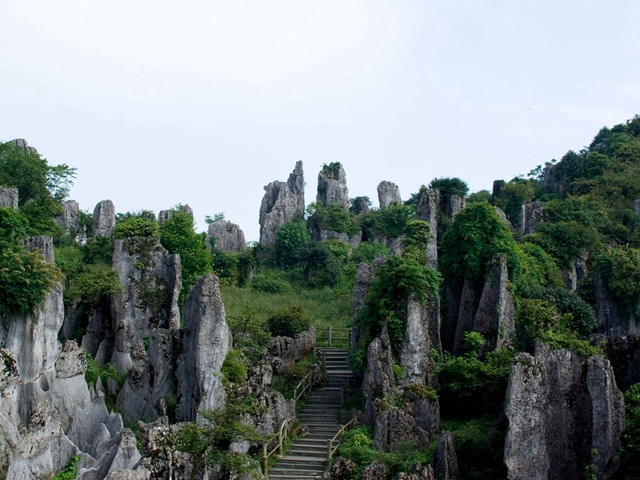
(41, 187)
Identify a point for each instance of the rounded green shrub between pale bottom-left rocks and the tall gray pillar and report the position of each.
(92, 284)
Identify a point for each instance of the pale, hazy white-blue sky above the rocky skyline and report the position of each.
(158, 103)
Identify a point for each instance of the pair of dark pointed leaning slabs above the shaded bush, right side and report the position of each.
(492, 314)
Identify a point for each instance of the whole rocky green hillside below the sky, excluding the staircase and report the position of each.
(494, 334)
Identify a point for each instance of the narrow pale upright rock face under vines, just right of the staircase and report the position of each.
(415, 357)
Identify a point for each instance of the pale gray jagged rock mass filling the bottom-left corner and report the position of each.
(47, 413)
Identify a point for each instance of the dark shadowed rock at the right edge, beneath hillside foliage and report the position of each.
(612, 318)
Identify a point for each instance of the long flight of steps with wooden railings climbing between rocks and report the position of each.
(307, 457)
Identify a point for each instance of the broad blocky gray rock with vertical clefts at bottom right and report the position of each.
(565, 412)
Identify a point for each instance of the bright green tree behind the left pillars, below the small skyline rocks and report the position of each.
(177, 236)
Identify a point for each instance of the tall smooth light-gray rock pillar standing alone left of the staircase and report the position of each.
(207, 340)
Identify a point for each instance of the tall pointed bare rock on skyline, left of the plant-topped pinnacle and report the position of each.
(281, 202)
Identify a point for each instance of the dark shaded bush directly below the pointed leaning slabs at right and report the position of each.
(468, 386)
